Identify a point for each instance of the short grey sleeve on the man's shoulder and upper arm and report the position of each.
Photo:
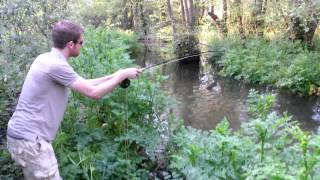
(63, 74)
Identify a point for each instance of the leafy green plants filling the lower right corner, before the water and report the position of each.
(268, 146)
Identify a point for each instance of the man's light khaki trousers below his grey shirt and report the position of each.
(37, 158)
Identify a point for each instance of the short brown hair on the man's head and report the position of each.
(65, 31)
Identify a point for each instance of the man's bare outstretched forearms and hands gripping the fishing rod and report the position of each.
(105, 86)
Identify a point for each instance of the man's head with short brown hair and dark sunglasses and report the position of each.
(68, 35)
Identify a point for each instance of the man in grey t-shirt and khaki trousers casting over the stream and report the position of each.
(43, 100)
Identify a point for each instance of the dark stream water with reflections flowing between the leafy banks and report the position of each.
(203, 98)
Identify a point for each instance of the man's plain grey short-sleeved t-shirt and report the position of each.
(43, 98)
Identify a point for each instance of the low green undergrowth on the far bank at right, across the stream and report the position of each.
(278, 62)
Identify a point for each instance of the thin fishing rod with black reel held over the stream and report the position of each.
(126, 83)
